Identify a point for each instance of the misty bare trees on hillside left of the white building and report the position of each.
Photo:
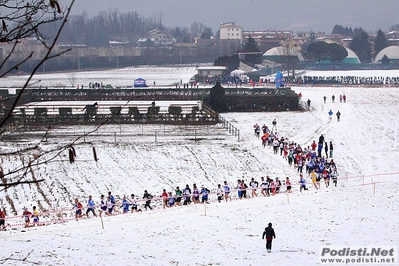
(97, 30)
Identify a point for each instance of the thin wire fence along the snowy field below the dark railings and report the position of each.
(121, 133)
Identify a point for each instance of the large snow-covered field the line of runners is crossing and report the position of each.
(361, 211)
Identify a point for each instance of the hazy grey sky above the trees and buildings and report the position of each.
(295, 15)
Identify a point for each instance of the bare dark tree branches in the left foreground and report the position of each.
(23, 19)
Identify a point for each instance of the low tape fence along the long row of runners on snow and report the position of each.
(64, 214)
